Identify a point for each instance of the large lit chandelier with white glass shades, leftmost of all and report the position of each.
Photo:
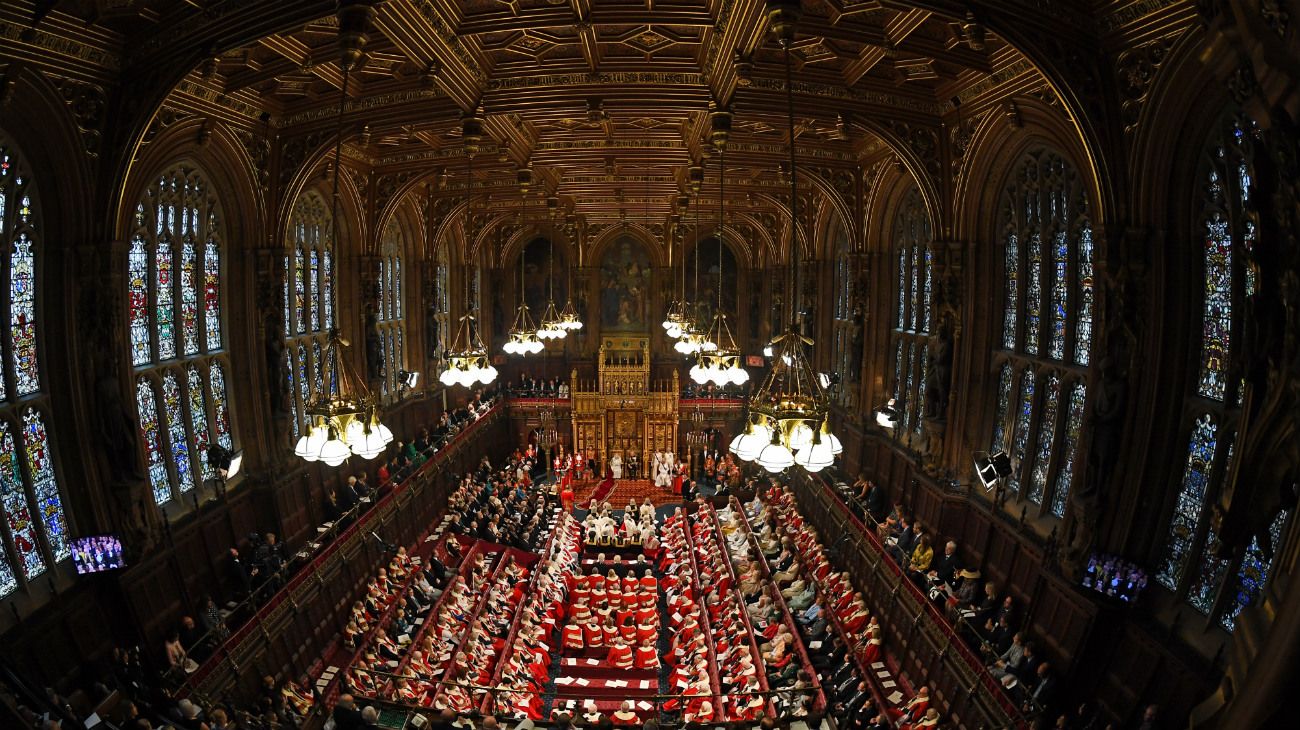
(345, 419)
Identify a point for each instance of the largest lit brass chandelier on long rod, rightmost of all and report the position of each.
(790, 412)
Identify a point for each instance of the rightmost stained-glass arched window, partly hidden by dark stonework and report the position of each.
(1191, 563)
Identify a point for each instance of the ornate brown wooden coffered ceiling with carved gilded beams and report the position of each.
(606, 101)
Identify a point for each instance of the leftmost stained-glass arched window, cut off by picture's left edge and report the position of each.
(33, 524)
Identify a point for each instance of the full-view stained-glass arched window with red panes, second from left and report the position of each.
(175, 307)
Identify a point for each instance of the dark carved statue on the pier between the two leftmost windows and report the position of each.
(135, 514)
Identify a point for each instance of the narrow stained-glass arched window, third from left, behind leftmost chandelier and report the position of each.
(310, 299)
